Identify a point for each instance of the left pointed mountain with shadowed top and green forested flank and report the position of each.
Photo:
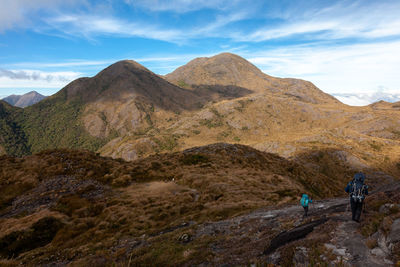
(89, 111)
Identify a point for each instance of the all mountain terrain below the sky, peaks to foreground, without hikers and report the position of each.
(237, 147)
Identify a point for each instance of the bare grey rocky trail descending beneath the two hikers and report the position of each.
(257, 237)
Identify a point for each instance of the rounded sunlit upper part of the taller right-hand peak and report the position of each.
(227, 69)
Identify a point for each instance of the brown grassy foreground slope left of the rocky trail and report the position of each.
(77, 204)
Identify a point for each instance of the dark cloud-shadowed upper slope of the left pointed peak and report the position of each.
(127, 78)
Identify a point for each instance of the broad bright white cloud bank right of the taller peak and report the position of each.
(357, 68)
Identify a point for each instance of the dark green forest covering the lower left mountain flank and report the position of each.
(52, 123)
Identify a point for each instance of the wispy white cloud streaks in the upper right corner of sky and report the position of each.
(340, 20)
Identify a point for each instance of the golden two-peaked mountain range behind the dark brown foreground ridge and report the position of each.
(128, 112)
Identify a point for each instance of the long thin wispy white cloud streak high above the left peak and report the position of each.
(89, 27)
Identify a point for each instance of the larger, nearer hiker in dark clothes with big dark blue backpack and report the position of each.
(357, 190)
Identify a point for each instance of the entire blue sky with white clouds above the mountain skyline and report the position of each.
(350, 49)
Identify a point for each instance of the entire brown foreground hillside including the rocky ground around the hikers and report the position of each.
(61, 207)
